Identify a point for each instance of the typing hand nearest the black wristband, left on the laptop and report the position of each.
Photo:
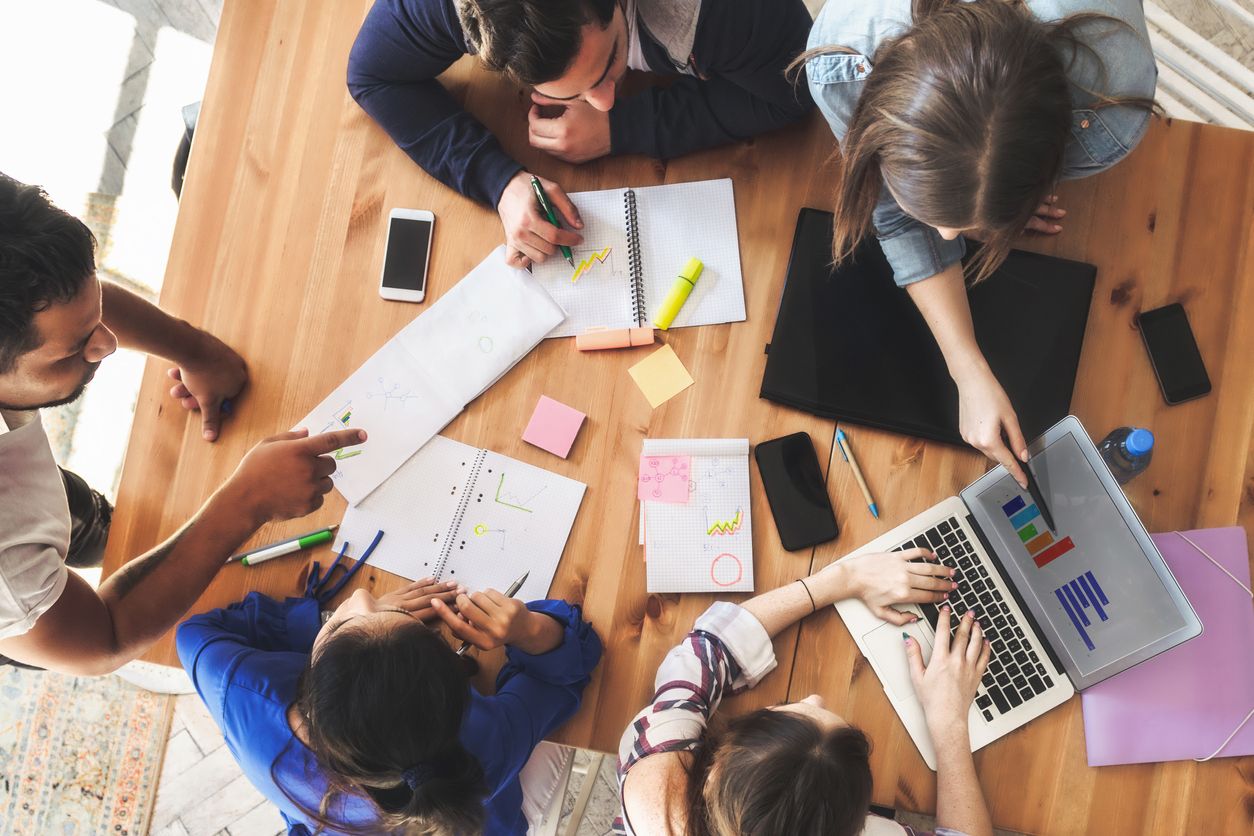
(890, 578)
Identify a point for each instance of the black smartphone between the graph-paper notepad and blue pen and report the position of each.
(796, 492)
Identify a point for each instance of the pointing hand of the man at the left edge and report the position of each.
(287, 476)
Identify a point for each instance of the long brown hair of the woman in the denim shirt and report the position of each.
(965, 120)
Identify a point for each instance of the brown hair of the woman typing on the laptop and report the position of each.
(779, 774)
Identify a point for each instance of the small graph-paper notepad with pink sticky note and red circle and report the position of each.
(705, 545)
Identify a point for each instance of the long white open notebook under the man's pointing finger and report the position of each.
(419, 382)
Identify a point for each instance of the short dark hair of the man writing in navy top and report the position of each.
(534, 42)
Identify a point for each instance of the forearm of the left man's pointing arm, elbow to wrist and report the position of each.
(150, 595)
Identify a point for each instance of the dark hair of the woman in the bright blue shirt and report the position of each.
(378, 704)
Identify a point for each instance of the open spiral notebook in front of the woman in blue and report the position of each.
(460, 513)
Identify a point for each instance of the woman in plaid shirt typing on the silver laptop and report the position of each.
(798, 769)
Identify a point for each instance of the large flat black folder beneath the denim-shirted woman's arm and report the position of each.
(851, 345)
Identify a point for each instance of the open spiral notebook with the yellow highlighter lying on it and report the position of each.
(635, 244)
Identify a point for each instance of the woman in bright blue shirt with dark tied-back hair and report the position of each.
(368, 724)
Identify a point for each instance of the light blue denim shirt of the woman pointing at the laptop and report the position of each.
(1099, 138)
